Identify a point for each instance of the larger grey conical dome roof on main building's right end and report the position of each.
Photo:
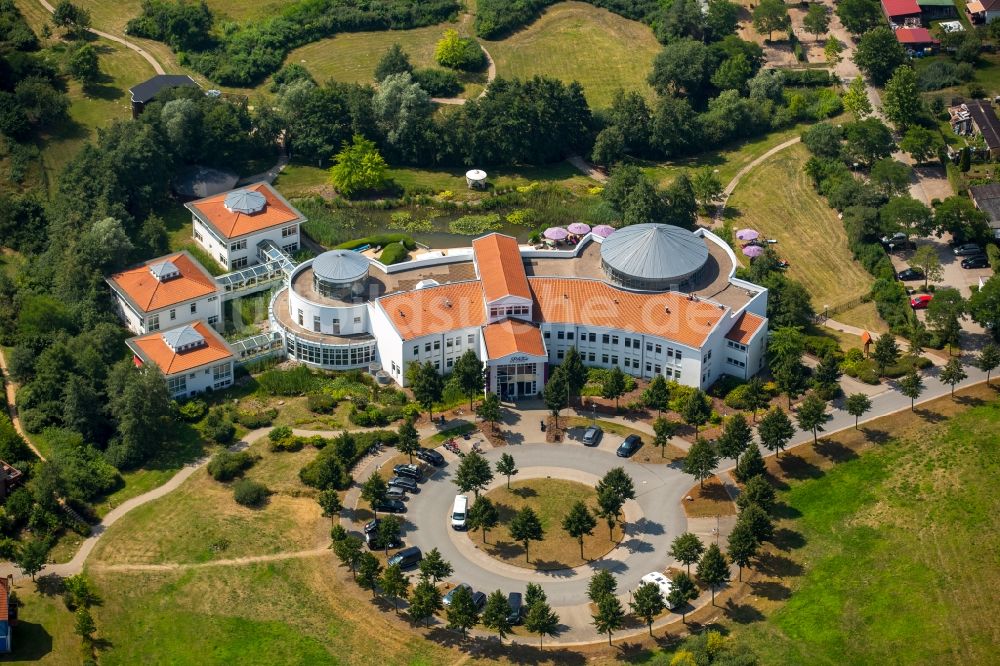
(654, 252)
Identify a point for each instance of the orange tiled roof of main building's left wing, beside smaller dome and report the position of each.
(435, 309)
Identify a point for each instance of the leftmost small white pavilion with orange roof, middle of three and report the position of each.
(165, 292)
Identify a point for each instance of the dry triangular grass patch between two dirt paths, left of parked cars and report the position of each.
(179, 529)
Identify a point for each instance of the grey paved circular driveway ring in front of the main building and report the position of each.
(654, 519)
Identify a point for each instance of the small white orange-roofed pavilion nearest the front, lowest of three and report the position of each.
(193, 358)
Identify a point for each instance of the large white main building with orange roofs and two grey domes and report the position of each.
(651, 299)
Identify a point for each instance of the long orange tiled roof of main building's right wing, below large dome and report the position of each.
(596, 303)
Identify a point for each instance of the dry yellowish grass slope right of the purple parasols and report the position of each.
(778, 200)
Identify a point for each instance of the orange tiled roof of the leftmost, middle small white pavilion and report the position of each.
(149, 294)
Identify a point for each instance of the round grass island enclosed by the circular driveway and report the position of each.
(551, 499)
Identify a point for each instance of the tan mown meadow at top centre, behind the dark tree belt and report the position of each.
(573, 41)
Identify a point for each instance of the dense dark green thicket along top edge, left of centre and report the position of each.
(243, 54)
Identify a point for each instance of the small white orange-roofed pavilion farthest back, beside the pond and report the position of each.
(230, 225)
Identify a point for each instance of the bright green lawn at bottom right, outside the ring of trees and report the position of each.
(900, 551)
